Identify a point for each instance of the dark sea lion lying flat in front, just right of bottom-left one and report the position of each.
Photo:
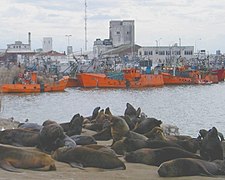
(87, 157)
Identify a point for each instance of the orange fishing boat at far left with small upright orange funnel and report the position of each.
(34, 87)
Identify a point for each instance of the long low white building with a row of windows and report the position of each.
(165, 54)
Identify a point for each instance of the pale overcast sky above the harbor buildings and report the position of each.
(196, 22)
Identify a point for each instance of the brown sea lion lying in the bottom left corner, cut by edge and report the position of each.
(12, 157)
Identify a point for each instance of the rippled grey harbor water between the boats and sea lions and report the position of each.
(189, 107)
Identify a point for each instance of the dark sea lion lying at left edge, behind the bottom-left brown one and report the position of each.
(19, 137)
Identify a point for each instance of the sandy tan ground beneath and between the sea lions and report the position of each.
(64, 171)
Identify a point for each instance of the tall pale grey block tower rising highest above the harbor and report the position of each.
(121, 32)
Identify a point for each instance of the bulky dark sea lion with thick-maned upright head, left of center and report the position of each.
(51, 137)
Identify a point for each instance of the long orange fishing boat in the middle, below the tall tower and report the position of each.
(128, 78)
